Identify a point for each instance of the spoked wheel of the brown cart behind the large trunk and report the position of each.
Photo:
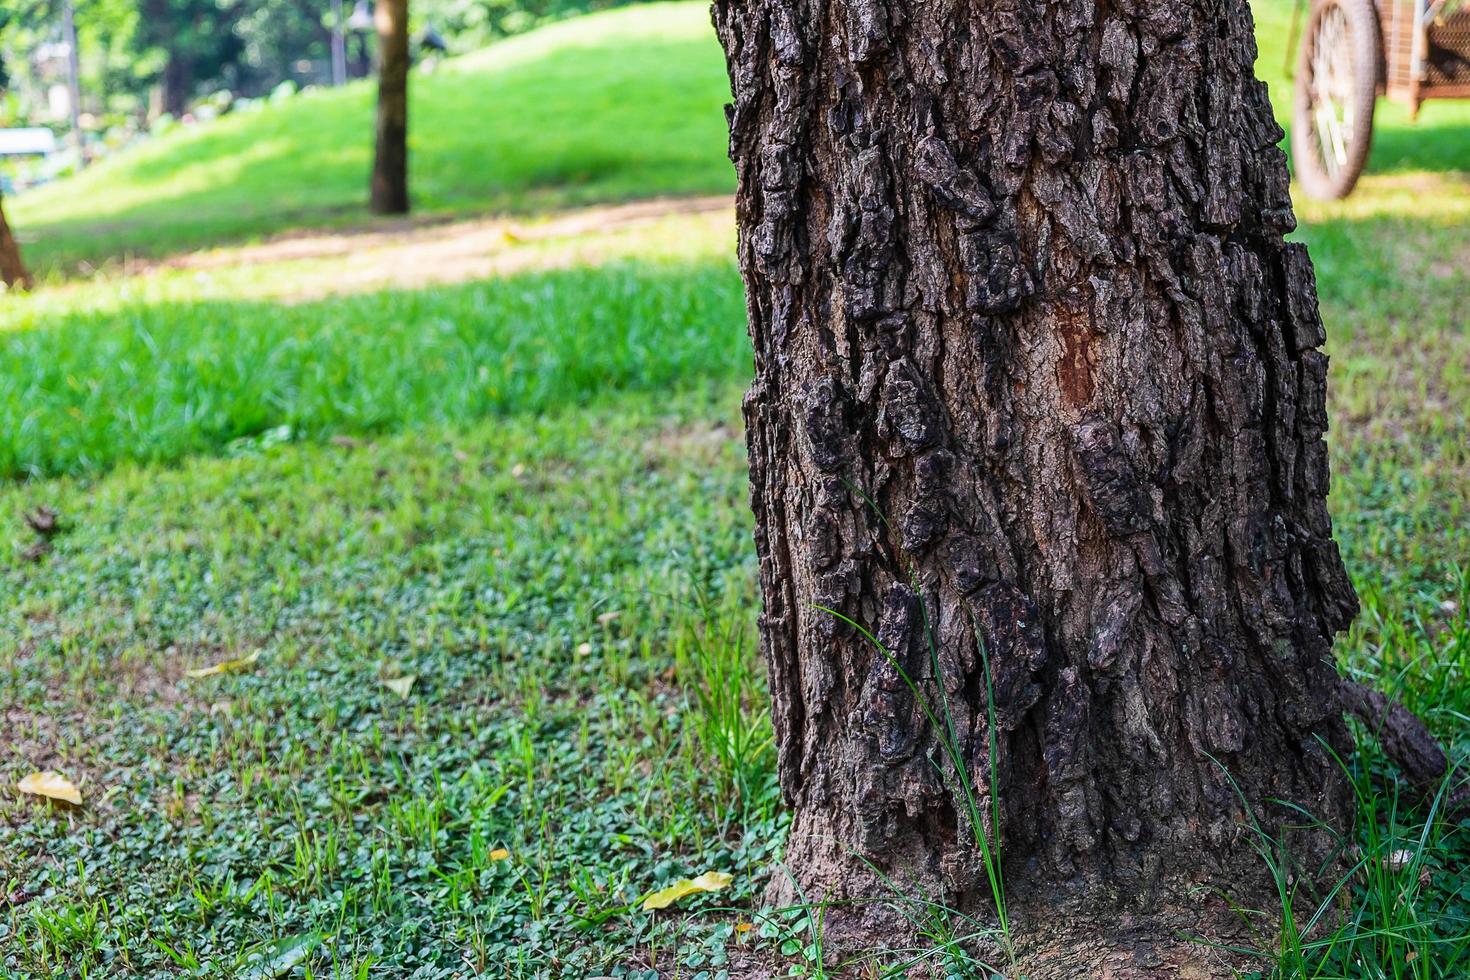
(1337, 87)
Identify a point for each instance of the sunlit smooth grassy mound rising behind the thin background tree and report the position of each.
(618, 105)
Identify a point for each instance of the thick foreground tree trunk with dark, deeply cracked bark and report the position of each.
(1037, 386)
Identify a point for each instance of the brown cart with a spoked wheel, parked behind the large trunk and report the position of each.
(1353, 52)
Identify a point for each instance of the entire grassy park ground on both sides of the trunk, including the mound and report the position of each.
(476, 562)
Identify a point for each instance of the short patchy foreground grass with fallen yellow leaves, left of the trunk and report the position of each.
(561, 588)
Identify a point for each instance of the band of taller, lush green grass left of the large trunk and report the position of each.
(158, 383)
